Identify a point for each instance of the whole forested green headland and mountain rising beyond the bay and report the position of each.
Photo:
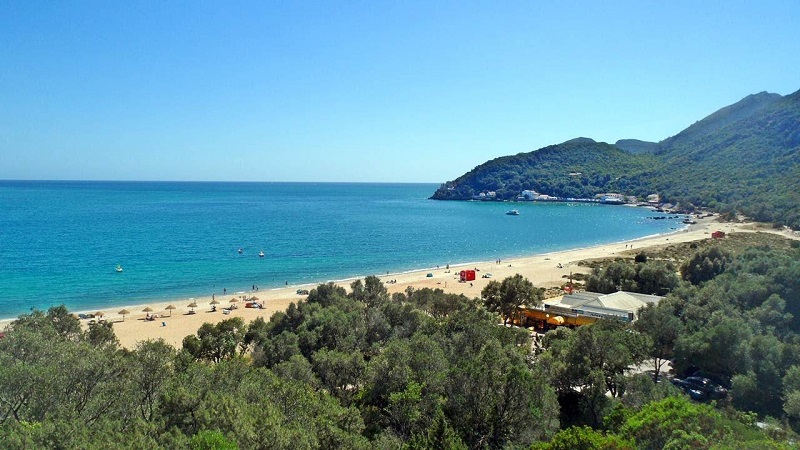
(743, 158)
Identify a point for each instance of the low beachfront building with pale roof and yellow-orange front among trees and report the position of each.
(581, 308)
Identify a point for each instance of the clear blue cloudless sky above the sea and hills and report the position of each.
(410, 91)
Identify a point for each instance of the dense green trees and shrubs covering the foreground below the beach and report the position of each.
(425, 369)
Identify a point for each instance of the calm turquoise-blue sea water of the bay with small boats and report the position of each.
(60, 242)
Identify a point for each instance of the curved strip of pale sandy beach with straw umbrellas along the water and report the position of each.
(544, 270)
